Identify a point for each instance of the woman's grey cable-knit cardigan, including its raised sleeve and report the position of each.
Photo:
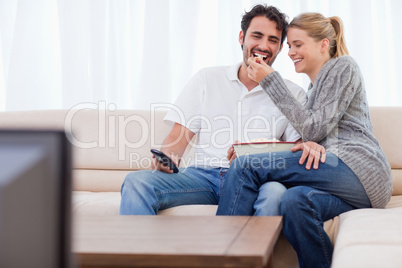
(336, 116)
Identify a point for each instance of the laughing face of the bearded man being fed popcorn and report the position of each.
(262, 40)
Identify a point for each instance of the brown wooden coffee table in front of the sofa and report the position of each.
(175, 241)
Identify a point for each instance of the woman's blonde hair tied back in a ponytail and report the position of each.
(319, 27)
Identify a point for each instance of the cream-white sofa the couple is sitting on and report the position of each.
(109, 144)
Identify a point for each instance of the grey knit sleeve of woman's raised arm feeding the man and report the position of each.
(334, 91)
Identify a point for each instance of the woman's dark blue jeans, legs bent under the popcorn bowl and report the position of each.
(313, 197)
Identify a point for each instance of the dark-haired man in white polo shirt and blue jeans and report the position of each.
(221, 105)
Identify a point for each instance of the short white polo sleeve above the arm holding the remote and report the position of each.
(187, 109)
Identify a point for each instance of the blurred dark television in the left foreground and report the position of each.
(35, 196)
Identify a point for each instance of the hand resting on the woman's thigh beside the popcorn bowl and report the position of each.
(313, 151)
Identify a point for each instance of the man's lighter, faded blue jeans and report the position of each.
(148, 191)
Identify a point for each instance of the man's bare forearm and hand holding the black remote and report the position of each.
(174, 146)
